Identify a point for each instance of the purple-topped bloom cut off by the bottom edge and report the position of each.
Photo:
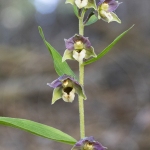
(88, 143)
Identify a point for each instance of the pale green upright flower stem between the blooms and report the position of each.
(81, 81)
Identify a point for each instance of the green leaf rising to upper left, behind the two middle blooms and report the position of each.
(60, 67)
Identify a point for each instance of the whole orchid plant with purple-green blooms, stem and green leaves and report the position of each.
(80, 49)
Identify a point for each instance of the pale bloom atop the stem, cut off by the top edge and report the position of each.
(83, 3)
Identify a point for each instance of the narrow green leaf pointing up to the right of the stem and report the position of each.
(107, 49)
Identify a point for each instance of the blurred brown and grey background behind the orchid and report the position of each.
(117, 112)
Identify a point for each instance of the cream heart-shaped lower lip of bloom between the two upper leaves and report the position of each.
(79, 56)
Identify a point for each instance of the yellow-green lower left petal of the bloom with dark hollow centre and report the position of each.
(57, 94)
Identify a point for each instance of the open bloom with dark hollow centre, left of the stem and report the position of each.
(65, 87)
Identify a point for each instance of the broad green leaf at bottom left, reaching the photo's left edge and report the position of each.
(38, 129)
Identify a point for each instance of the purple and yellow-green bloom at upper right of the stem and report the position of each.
(105, 10)
